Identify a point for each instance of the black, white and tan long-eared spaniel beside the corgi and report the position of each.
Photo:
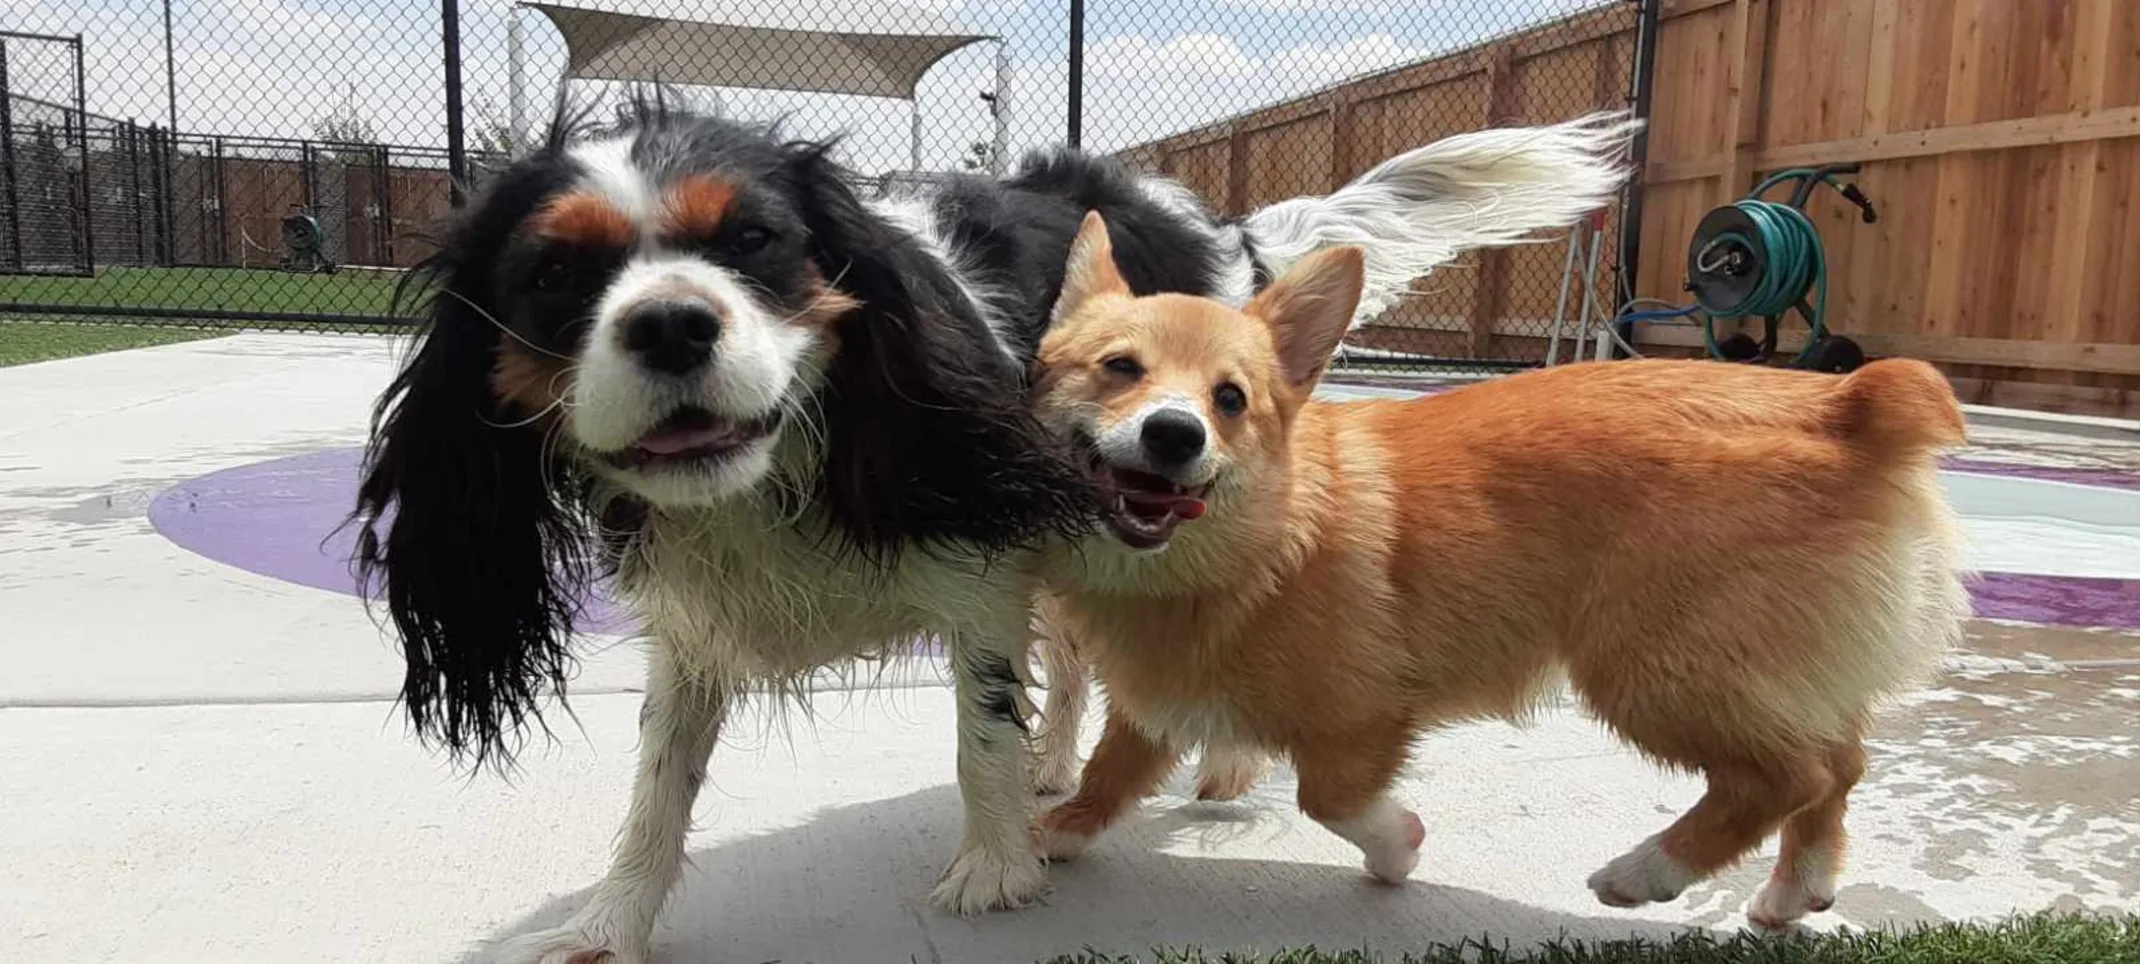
(795, 427)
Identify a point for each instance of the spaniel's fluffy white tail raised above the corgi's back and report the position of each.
(1422, 209)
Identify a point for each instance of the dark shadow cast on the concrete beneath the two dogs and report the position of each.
(853, 886)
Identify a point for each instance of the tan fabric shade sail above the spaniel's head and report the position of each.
(816, 46)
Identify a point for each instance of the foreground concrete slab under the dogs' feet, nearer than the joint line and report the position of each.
(314, 832)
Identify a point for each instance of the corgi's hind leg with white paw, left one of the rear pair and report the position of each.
(1743, 807)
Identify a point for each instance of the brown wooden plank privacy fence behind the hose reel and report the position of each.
(2000, 140)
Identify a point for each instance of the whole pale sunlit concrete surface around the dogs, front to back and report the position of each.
(202, 762)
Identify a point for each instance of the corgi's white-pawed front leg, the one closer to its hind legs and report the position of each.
(1345, 787)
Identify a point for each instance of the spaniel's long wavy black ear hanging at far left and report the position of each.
(468, 528)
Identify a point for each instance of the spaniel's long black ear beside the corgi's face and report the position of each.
(930, 440)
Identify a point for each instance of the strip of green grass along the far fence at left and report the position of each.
(350, 292)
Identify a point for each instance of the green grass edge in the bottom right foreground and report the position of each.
(2040, 939)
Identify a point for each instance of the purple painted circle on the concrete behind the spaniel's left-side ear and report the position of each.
(284, 519)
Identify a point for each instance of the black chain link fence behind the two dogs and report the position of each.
(281, 162)
